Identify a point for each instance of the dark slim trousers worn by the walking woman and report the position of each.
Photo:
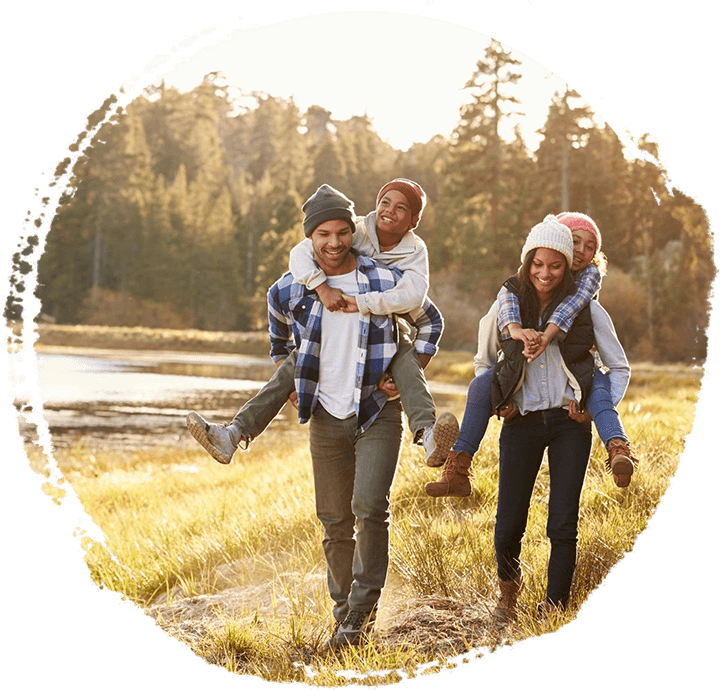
(523, 441)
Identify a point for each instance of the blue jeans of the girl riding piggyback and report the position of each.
(478, 410)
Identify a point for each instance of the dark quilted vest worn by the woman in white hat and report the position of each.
(575, 350)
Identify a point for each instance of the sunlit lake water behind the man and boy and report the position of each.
(138, 399)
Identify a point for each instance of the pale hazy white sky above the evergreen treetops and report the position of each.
(406, 72)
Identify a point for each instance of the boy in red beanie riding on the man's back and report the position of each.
(387, 235)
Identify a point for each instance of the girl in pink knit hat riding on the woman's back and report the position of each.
(588, 266)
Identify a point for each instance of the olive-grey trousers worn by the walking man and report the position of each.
(353, 473)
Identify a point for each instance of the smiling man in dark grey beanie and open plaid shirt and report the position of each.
(355, 430)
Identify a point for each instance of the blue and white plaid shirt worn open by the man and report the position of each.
(295, 318)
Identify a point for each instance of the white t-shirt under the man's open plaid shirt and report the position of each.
(338, 353)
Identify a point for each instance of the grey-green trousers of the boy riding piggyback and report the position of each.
(405, 369)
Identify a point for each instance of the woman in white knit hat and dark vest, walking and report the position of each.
(542, 394)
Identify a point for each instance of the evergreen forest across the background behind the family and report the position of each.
(182, 211)
